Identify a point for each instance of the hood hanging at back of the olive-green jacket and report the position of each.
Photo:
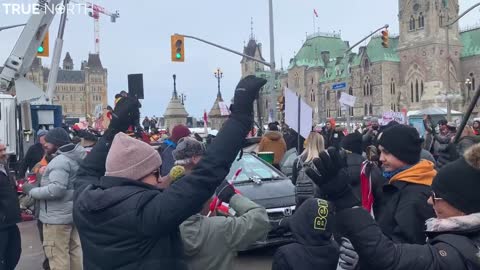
(192, 237)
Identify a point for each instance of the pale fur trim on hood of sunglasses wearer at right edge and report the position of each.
(454, 224)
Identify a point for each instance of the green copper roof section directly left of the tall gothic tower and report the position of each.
(377, 53)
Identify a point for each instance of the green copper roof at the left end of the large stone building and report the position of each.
(310, 54)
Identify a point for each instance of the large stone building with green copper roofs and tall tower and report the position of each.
(416, 71)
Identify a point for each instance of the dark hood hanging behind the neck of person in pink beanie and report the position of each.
(109, 192)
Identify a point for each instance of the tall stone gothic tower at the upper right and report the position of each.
(424, 54)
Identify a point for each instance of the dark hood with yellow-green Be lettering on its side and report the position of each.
(311, 224)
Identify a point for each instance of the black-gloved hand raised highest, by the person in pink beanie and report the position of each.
(246, 92)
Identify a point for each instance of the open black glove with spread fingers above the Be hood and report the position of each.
(331, 176)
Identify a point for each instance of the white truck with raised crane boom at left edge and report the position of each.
(24, 107)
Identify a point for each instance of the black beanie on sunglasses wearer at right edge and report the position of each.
(458, 182)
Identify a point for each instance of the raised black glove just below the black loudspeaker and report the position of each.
(125, 114)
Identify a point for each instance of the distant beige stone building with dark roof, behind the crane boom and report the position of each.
(79, 92)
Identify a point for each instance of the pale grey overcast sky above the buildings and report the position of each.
(139, 42)
